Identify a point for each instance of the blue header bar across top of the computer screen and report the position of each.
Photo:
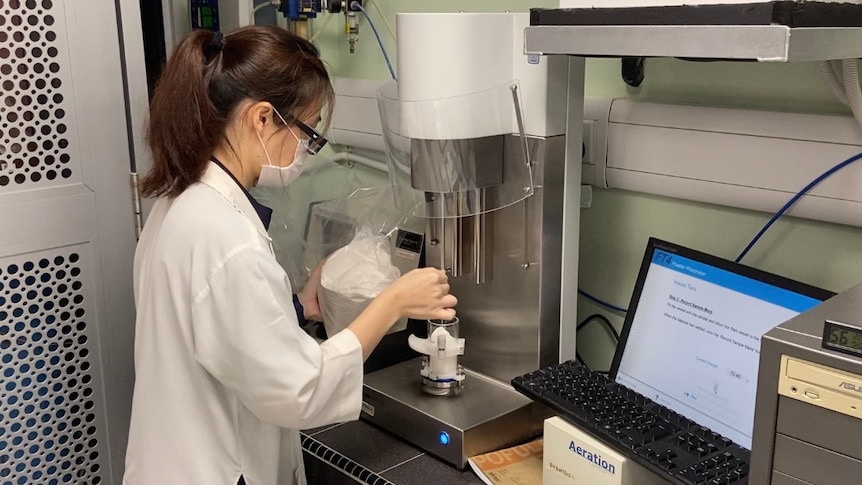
(742, 284)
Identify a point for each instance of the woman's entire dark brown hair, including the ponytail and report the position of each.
(206, 79)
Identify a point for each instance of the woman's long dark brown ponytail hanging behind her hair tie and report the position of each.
(184, 125)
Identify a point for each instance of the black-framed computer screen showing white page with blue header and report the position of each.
(691, 337)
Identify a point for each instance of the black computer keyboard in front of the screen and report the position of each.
(650, 434)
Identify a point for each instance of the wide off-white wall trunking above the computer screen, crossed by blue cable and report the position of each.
(741, 158)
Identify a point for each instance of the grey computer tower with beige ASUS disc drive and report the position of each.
(797, 439)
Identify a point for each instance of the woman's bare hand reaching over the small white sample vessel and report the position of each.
(422, 294)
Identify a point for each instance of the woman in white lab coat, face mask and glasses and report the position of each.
(224, 374)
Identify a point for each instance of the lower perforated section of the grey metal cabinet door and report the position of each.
(49, 431)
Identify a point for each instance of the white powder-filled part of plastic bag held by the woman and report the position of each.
(353, 276)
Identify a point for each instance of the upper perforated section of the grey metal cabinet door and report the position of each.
(35, 133)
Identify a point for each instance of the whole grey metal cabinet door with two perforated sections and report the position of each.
(66, 245)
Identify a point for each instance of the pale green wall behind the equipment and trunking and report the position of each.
(615, 228)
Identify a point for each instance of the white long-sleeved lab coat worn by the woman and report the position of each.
(224, 374)
